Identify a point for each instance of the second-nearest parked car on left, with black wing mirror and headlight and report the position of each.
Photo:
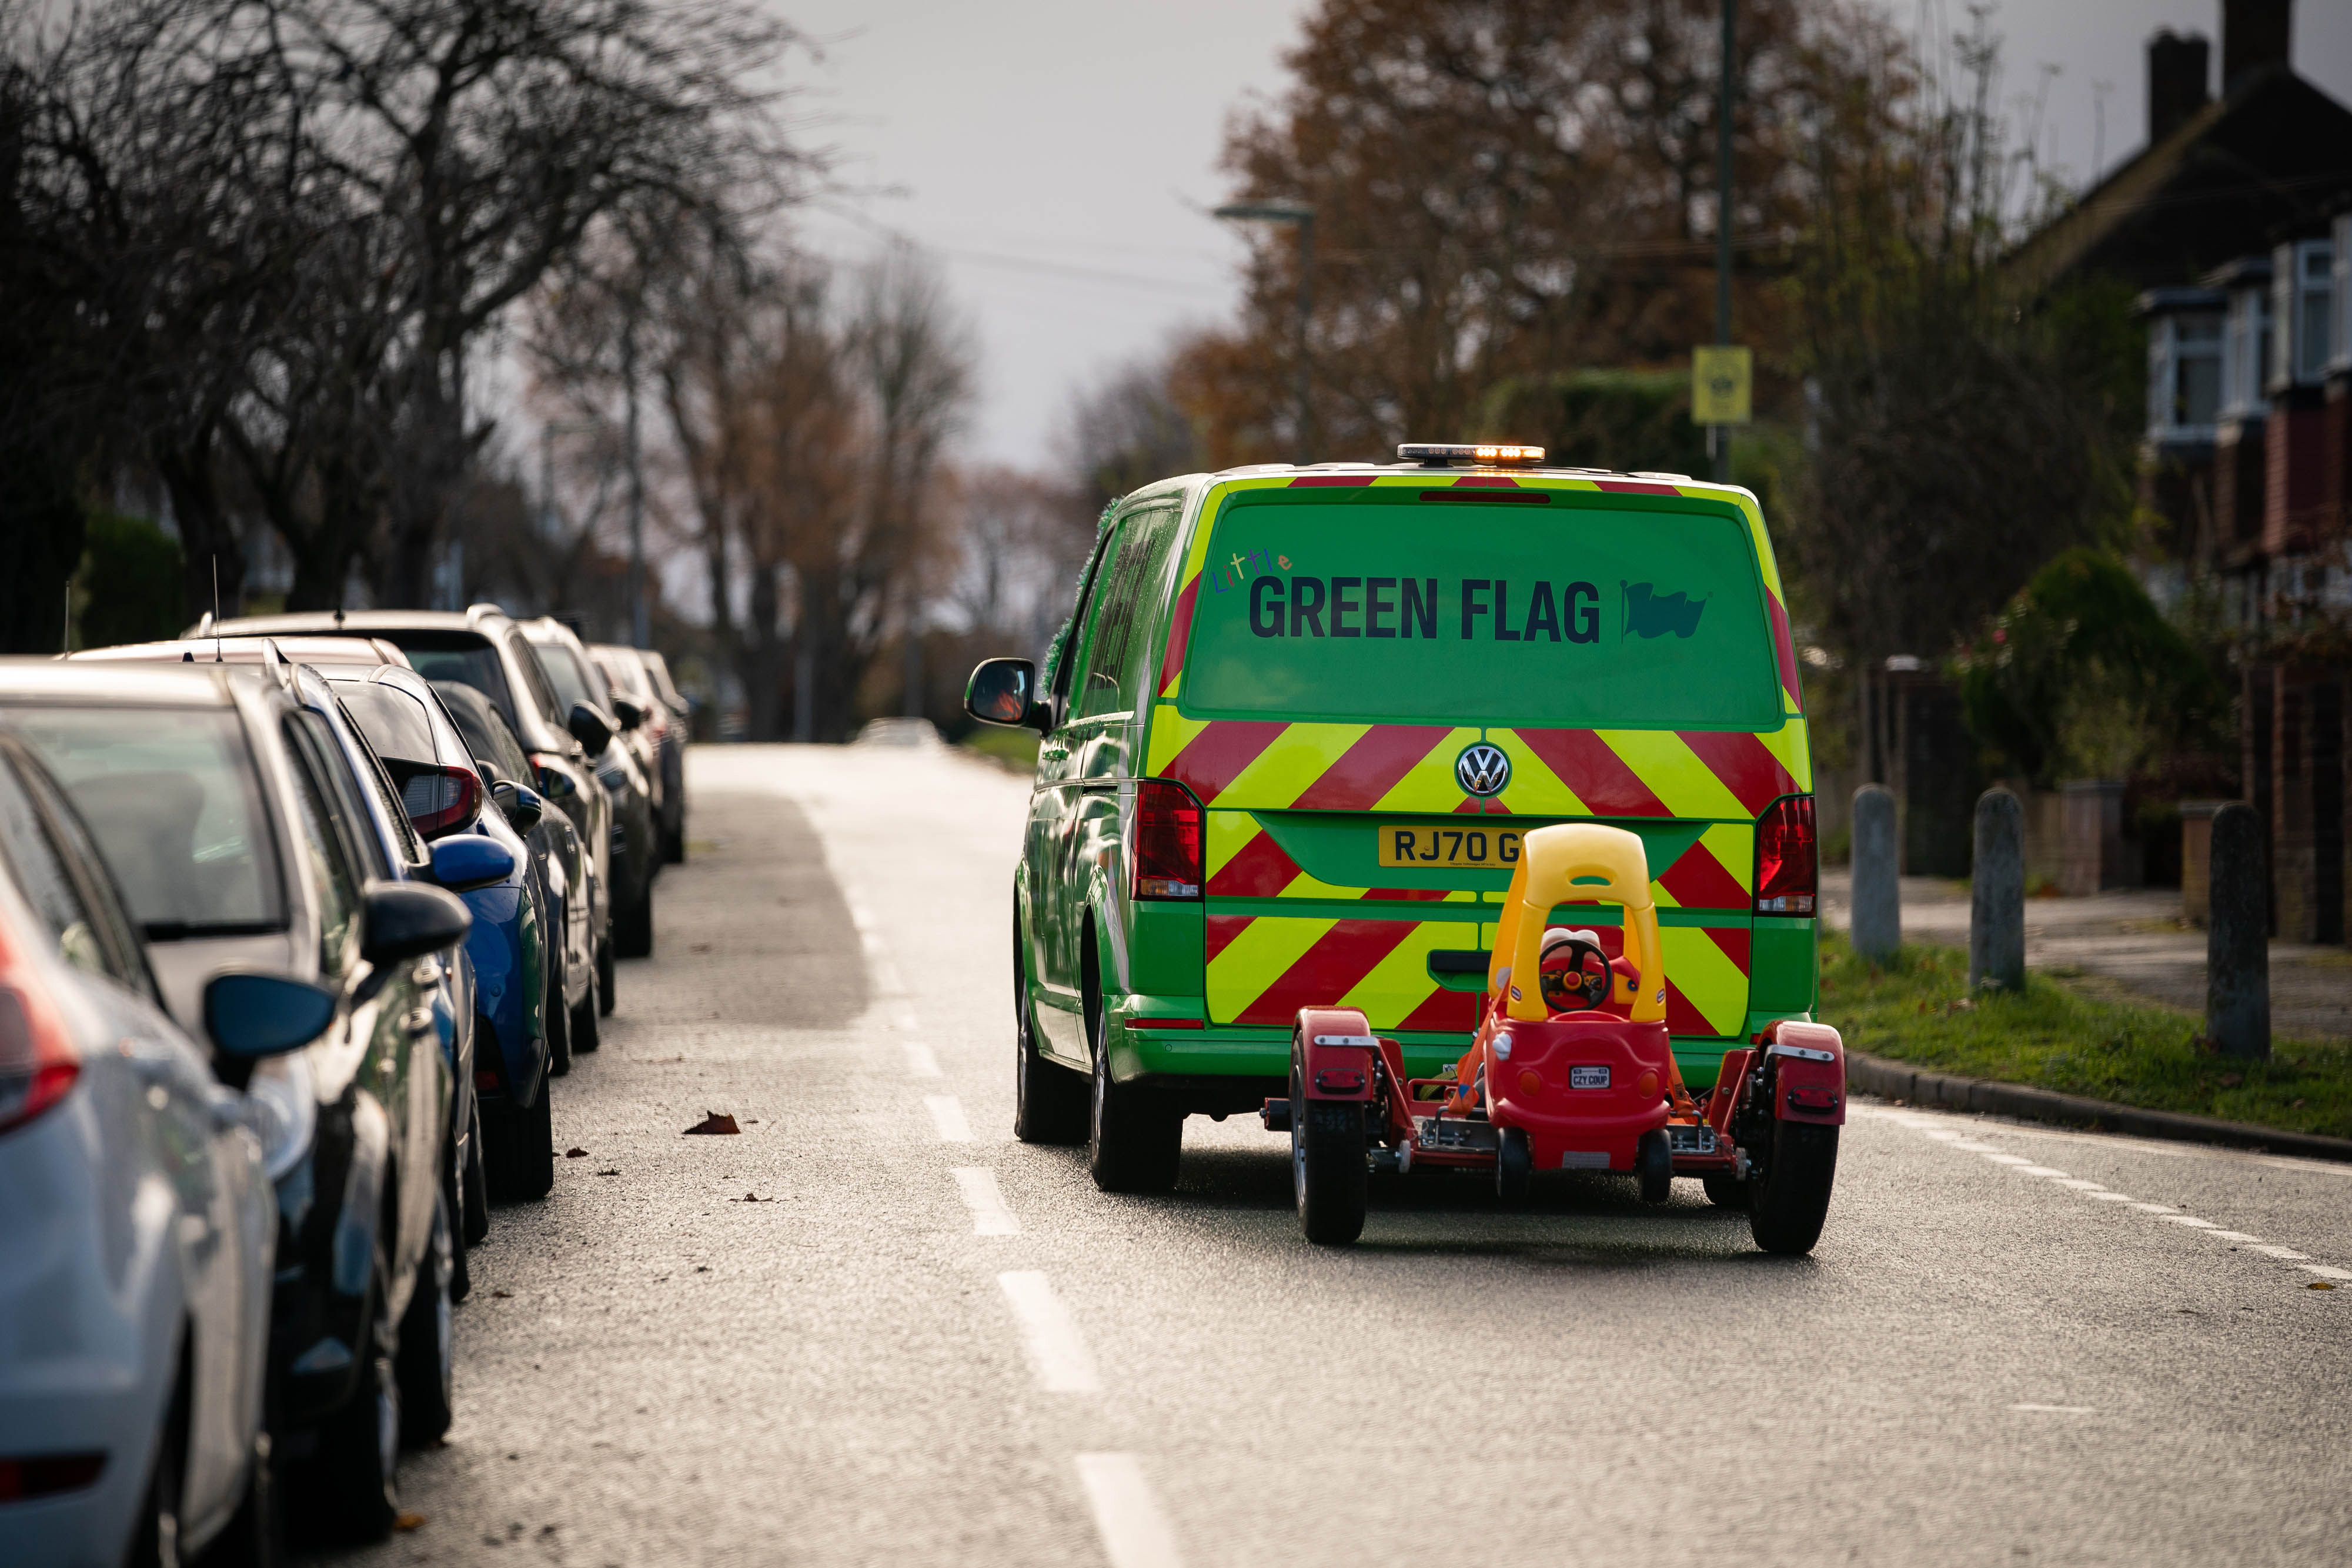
(239, 836)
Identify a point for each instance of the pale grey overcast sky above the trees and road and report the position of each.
(1060, 156)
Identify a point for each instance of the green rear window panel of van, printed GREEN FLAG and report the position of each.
(1429, 612)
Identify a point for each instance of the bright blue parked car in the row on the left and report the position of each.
(514, 939)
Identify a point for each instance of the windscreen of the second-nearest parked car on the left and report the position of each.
(175, 808)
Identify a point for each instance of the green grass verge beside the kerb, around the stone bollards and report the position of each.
(1918, 1012)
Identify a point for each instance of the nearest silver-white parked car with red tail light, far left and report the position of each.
(138, 1224)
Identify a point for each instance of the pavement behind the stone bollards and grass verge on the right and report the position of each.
(2130, 946)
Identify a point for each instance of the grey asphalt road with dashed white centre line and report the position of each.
(874, 1329)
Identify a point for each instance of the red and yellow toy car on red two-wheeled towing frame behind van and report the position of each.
(1570, 1071)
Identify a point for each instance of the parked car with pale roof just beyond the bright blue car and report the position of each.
(483, 648)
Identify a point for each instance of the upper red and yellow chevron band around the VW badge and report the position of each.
(1267, 765)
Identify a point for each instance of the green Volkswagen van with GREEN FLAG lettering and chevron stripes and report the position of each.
(1297, 728)
